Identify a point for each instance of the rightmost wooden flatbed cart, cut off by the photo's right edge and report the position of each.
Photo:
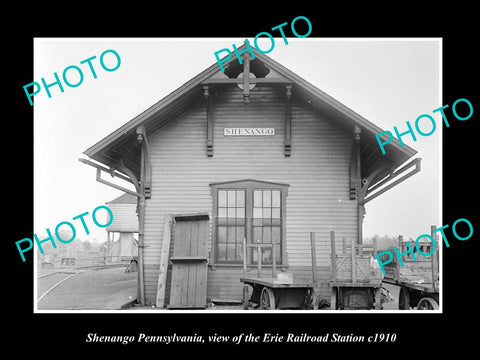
(418, 279)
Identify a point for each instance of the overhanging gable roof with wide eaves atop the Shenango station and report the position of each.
(107, 150)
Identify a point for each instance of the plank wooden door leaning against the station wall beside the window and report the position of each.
(189, 262)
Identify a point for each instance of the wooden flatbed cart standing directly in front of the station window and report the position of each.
(275, 292)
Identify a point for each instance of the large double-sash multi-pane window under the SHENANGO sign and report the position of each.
(254, 210)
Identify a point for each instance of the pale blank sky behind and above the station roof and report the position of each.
(387, 81)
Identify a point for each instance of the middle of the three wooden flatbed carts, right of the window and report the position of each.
(355, 280)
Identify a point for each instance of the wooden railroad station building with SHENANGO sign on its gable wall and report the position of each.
(258, 153)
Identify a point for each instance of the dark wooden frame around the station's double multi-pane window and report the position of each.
(249, 186)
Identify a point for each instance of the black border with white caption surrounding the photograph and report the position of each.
(428, 332)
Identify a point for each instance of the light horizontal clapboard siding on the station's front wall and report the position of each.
(317, 172)
